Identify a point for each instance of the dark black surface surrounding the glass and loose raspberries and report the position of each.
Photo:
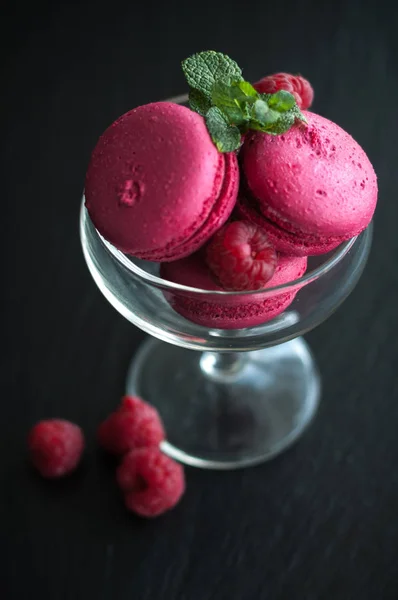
(320, 521)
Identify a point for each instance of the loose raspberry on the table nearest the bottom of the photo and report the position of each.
(151, 481)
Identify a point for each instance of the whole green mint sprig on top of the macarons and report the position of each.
(231, 106)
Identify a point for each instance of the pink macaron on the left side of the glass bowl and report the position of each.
(156, 186)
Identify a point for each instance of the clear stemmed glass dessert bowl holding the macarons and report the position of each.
(229, 398)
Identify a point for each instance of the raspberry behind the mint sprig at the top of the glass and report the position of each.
(295, 84)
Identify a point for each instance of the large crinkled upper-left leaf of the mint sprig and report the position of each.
(203, 69)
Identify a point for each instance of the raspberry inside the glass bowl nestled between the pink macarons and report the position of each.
(241, 256)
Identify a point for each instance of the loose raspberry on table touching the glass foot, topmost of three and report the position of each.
(134, 424)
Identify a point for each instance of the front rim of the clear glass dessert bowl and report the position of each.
(338, 254)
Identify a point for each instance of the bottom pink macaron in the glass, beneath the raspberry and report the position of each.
(232, 311)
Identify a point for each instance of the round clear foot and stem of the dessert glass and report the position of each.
(227, 410)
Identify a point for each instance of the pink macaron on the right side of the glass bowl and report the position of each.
(310, 188)
